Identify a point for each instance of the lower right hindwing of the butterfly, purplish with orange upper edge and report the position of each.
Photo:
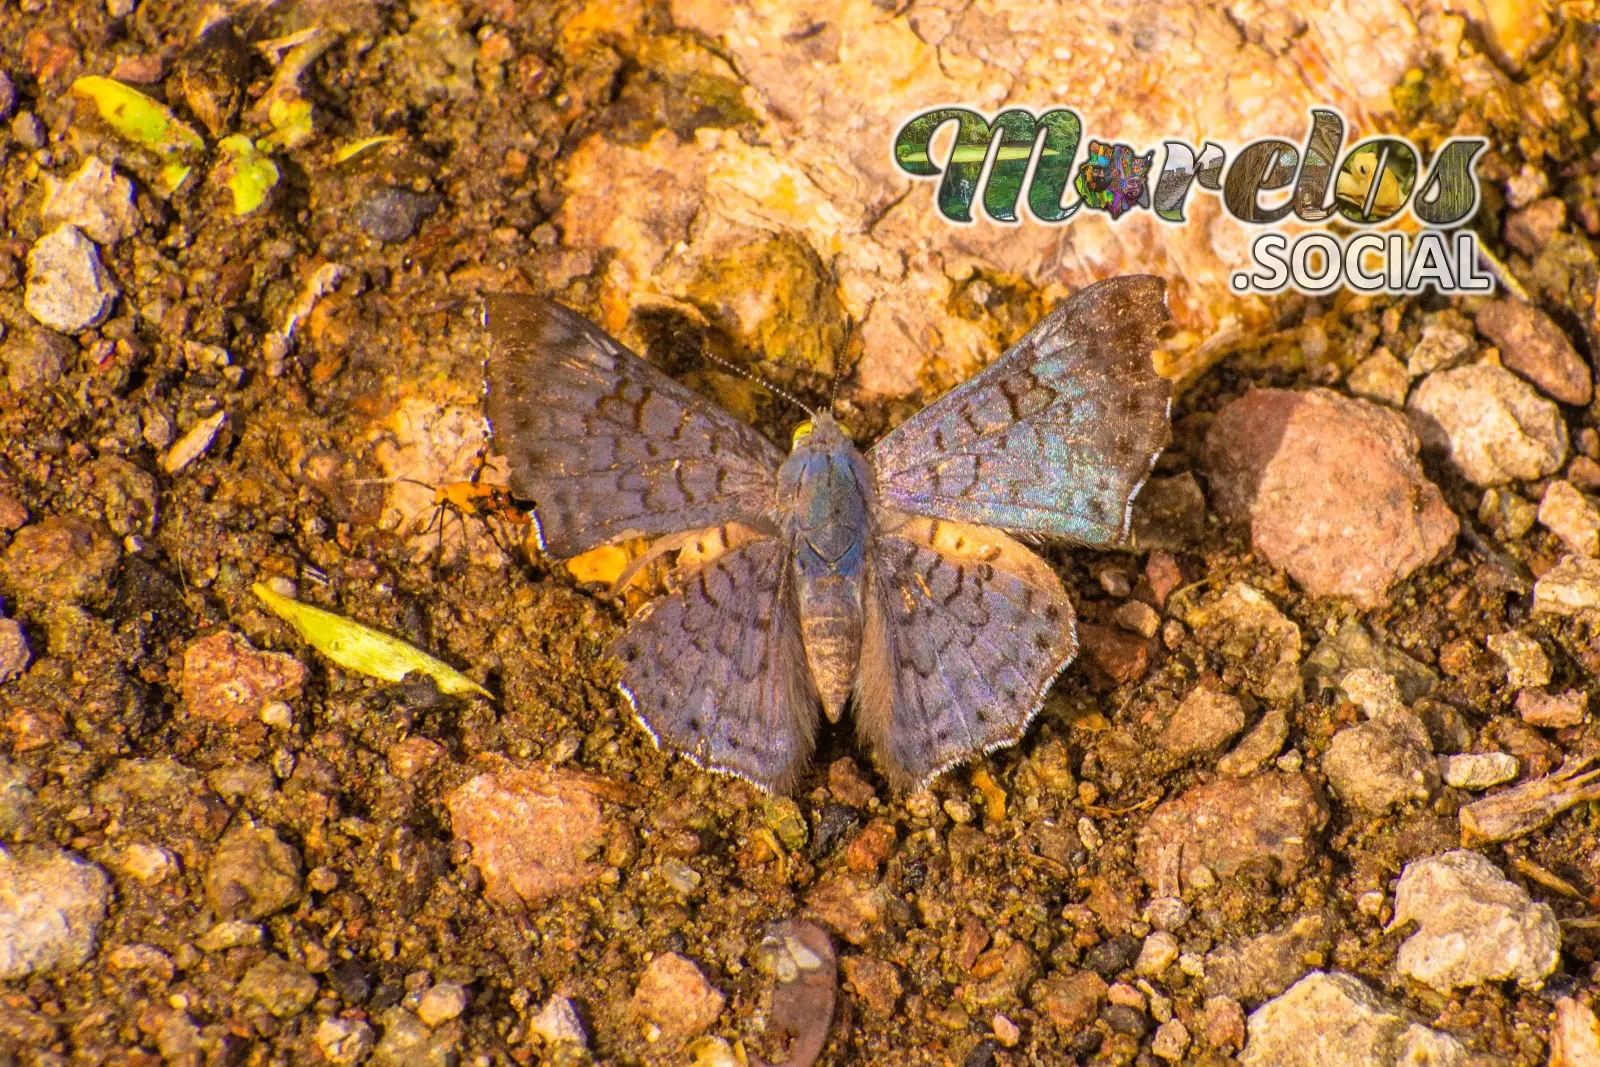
(966, 631)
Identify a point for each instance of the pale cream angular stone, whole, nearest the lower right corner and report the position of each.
(1474, 925)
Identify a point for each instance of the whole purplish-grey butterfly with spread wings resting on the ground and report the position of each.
(892, 581)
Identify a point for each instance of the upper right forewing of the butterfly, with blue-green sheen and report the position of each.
(1057, 436)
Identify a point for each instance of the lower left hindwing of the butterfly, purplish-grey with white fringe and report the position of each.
(718, 671)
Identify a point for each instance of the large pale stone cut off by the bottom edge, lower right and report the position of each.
(1334, 1020)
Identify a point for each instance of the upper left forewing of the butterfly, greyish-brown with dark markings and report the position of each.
(604, 444)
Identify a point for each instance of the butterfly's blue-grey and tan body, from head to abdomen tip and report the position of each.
(825, 503)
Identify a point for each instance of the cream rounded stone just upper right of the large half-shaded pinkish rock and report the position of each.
(1494, 425)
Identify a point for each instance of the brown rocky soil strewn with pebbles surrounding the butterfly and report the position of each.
(1321, 789)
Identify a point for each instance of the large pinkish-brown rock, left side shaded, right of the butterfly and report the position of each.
(1330, 487)
